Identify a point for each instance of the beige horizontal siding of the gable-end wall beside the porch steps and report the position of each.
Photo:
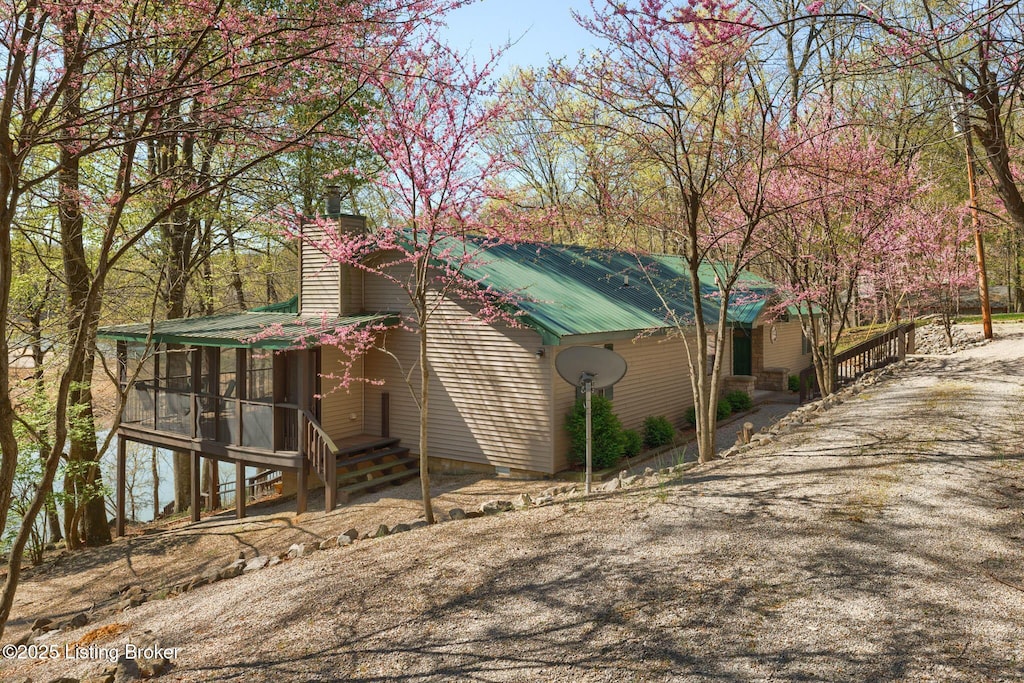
(490, 393)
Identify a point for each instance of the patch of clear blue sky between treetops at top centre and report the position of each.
(539, 28)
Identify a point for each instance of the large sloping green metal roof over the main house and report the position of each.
(588, 294)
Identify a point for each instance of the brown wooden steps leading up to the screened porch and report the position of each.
(369, 466)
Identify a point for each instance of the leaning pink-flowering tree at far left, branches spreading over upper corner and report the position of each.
(83, 89)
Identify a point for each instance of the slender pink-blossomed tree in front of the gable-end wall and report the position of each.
(435, 182)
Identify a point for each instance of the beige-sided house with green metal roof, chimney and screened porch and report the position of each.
(243, 389)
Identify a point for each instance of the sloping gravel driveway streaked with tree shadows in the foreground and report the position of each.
(881, 540)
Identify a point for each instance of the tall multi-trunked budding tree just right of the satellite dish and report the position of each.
(695, 116)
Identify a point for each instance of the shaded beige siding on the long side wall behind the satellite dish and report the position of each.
(657, 382)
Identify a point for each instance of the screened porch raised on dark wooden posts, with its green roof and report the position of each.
(241, 389)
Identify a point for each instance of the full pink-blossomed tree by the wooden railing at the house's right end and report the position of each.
(844, 208)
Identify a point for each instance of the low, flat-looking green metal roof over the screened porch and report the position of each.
(241, 330)
